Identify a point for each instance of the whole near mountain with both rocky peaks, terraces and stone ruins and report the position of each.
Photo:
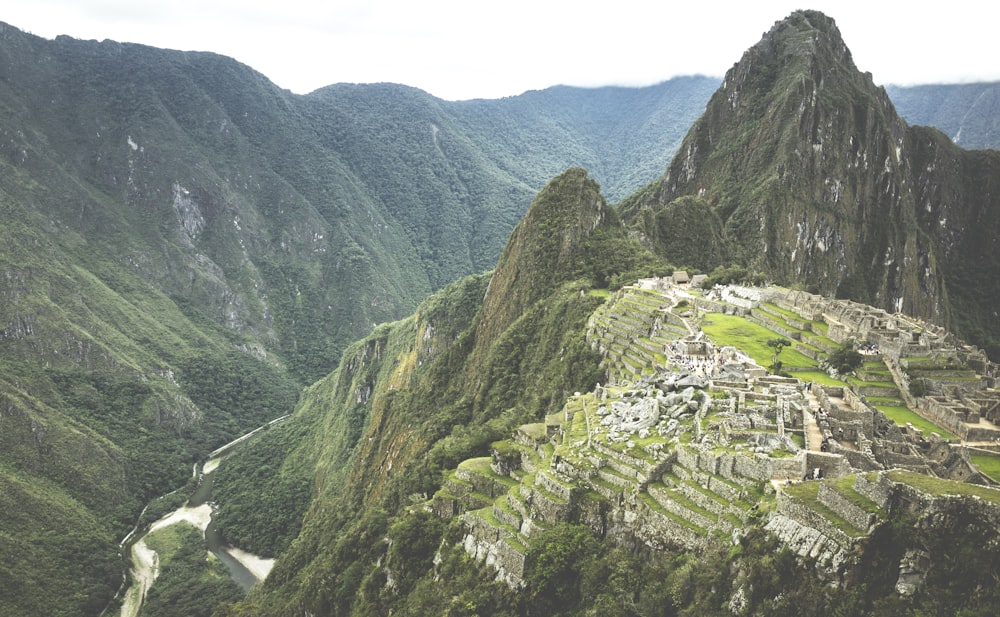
(475, 480)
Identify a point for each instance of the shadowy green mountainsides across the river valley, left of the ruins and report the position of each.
(186, 246)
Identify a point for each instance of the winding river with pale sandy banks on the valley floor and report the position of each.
(244, 568)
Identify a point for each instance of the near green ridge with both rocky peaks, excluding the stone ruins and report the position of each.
(371, 545)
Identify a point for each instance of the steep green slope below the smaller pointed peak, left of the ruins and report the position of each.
(418, 396)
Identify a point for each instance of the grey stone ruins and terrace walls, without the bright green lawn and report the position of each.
(715, 441)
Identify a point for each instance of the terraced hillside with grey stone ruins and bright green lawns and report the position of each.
(692, 441)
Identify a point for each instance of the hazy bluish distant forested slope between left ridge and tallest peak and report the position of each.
(623, 137)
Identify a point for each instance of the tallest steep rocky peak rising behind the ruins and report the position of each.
(819, 182)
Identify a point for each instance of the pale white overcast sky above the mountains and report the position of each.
(461, 49)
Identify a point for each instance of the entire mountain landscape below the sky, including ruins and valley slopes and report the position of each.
(701, 348)
